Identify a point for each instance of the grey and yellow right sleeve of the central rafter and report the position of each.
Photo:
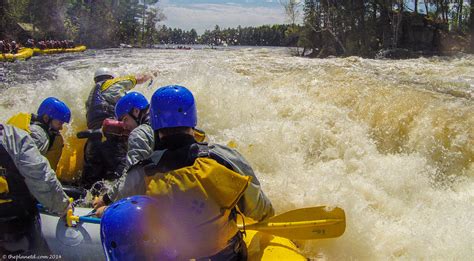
(254, 203)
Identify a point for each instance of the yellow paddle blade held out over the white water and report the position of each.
(304, 223)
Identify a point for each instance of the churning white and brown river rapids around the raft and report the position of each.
(391, 142)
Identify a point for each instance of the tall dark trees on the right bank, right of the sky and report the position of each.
(363, 27)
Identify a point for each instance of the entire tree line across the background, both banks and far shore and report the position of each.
(330, 27)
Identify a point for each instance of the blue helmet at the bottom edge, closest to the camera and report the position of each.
(127, 229)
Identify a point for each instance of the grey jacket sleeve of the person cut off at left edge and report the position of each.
(39, 177)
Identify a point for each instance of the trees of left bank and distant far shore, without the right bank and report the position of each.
(108, 23)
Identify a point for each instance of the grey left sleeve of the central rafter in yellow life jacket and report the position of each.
(131, 183)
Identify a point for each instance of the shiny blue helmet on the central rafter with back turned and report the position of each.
(173, 106)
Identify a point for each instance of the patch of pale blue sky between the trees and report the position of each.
(205, 14)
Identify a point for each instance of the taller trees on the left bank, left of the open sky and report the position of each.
(94, 23)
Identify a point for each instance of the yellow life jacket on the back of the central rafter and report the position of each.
(196, 203)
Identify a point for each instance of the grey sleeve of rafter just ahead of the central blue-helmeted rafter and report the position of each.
(140, 145)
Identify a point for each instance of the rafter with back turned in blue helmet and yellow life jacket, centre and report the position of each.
(198, 209)
